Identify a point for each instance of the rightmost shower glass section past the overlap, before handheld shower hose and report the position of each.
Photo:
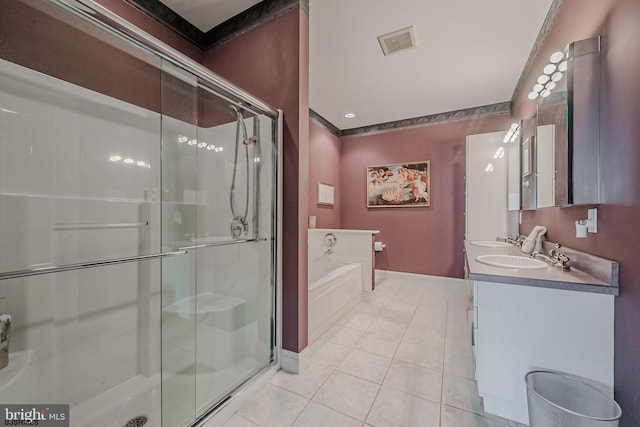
(235, 253)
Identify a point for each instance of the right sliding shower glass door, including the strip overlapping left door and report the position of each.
(218, 204)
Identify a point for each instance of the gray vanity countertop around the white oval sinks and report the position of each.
(551, 277)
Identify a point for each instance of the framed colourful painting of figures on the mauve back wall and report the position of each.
(399, 185)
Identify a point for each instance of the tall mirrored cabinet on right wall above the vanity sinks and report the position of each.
(566, 144)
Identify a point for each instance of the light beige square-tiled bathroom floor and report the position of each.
(404, 359)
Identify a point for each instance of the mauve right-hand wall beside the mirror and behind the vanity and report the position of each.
(618, 237)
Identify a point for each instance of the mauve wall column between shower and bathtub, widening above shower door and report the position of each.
(271, 62)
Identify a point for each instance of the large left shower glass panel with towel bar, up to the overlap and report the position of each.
(80, 166)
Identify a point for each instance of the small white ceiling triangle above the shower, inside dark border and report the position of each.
(206, 14)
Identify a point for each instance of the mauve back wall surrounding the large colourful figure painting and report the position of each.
(423, 240)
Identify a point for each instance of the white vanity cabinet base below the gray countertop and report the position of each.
(518, 328)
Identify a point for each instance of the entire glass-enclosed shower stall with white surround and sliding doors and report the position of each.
(138, 232)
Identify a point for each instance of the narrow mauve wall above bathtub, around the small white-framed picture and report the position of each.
(324, 166)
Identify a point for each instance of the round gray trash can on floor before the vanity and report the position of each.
(557, 399)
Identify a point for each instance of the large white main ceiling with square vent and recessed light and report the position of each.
(470, 53)
